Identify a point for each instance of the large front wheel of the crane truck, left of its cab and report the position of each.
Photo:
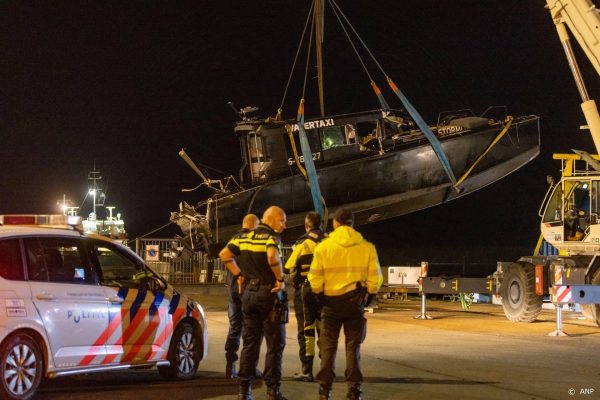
(519, 301)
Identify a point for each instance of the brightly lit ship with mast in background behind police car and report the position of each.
(102, 220)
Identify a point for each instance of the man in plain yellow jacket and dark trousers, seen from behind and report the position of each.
(345, 275)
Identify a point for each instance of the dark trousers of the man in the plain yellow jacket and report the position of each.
(334, 315)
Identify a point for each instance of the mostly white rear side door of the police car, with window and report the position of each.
(71, 304)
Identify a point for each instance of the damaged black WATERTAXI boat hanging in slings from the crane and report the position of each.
(379, 164)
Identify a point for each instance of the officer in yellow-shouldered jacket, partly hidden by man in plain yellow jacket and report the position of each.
(305, 303)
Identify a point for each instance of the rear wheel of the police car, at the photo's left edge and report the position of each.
(22, 367)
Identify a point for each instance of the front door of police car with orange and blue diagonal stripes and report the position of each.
(137, 310)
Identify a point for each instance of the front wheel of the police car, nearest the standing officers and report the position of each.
(184, 354)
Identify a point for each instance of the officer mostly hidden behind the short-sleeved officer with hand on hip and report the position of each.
(234, 307)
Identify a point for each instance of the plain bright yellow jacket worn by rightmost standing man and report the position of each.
(343, 260)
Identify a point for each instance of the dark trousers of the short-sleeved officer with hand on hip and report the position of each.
(257, 305)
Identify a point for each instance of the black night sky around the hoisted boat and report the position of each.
(126, 85)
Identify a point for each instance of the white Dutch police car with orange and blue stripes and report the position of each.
(72, 303)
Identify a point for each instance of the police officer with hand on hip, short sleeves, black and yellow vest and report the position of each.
(264, 313)
